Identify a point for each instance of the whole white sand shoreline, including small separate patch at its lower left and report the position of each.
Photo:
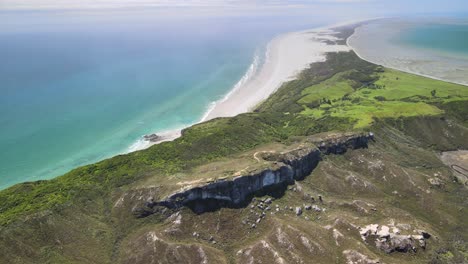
(286, 56)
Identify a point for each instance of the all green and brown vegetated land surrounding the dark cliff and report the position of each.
(342, 94)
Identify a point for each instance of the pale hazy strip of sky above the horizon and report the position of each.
(324, 7)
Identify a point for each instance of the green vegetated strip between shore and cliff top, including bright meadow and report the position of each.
(348, 84)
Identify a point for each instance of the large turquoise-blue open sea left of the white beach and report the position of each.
(76, 88)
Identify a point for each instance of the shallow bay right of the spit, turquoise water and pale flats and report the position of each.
(435, 47)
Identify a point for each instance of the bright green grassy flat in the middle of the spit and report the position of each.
(389, 94)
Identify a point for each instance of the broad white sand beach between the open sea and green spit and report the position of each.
(288, 55)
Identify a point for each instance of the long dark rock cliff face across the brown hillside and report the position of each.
(291, 166)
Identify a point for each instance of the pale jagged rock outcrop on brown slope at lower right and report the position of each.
(389, 239)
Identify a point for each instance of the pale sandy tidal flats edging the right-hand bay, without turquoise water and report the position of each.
(420, 62)
